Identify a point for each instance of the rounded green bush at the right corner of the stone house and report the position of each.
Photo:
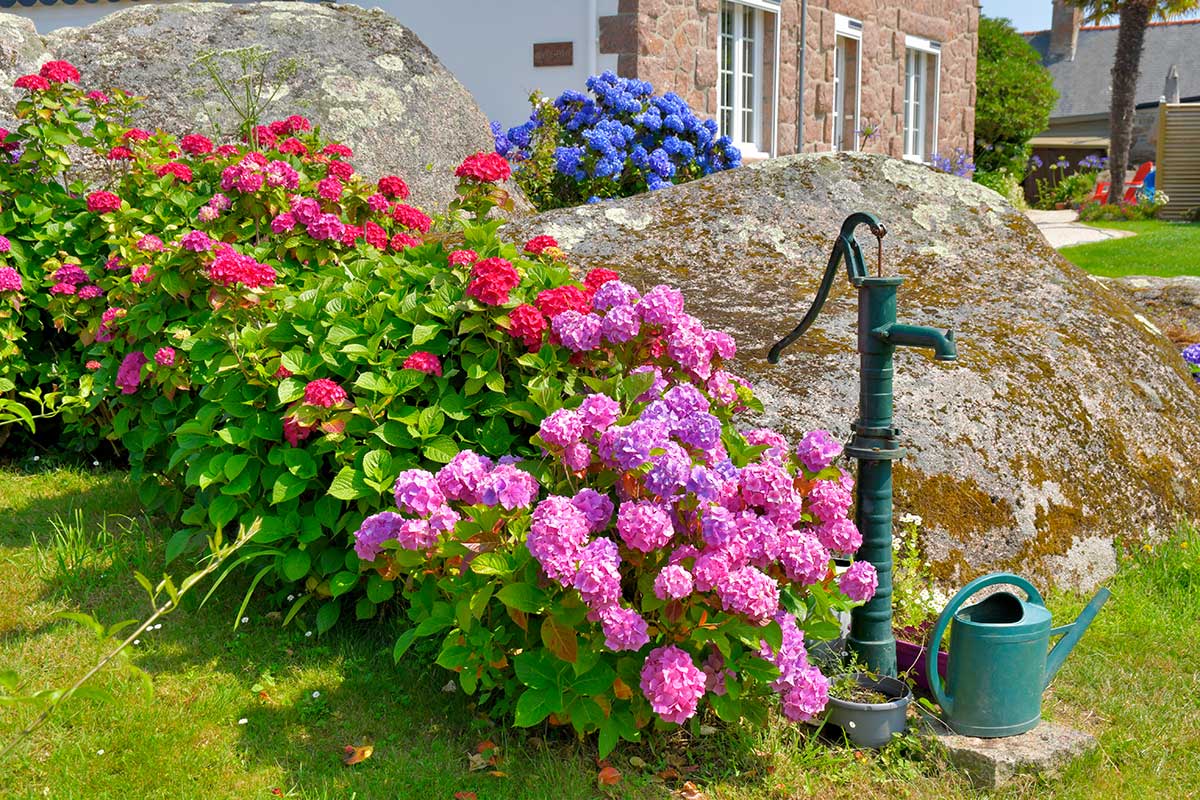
(1015, 98)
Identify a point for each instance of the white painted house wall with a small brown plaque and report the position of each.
(488, 45)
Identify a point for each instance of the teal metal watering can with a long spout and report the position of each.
(1000, 658)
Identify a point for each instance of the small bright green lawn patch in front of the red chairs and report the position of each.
(1163, 249)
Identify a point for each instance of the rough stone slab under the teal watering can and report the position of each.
(991, 763)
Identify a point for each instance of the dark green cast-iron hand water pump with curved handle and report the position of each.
(875, 442)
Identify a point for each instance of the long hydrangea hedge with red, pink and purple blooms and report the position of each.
(273, 340)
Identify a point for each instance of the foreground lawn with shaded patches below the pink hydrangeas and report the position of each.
(1133, 682)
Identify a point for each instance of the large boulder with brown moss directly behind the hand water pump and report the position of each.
(1065, 424)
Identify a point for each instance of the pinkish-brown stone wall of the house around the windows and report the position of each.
(673, 44)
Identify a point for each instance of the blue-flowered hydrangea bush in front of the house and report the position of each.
(622, 140)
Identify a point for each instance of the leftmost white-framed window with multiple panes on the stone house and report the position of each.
(747, 68)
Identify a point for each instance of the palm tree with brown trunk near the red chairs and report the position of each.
(1135, 16)
